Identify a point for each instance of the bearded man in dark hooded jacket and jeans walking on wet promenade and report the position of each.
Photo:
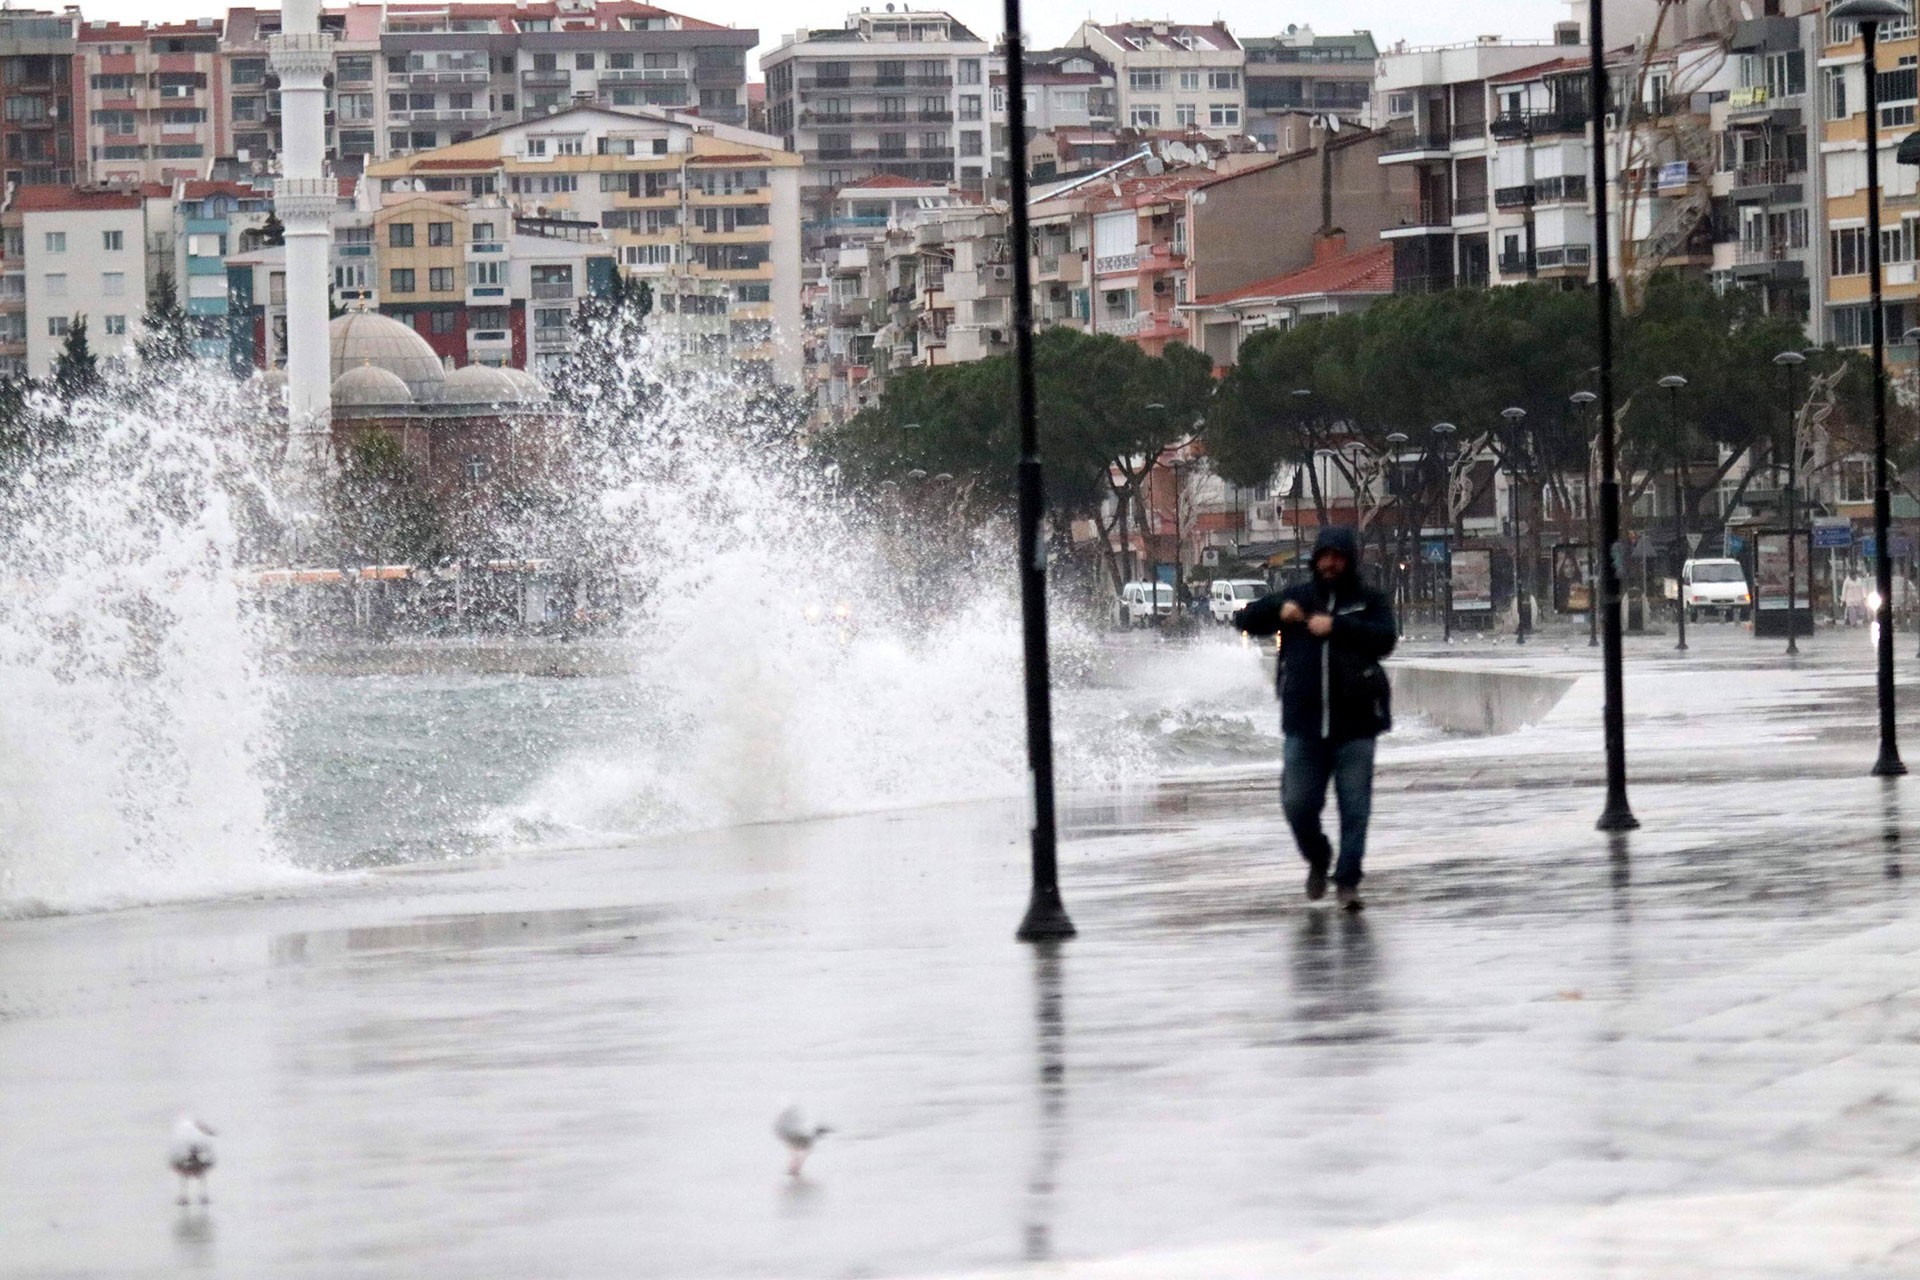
(1333, 703)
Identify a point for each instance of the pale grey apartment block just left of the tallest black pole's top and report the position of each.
(896, 93)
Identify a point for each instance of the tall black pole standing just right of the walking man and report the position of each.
(1618, 815)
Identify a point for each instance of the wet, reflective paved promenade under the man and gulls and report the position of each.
(1537, 1053)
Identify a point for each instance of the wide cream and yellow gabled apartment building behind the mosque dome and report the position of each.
(696, 208)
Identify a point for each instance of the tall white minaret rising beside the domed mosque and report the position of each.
(304, 199)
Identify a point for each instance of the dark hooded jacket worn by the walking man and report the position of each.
(1332, 688)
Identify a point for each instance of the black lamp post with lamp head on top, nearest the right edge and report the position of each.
(1871, 14)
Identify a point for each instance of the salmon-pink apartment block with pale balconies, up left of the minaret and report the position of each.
(151, 99)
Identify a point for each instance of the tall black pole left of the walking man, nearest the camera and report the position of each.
(1047, 916)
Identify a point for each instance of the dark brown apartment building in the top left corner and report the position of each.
(41, 120)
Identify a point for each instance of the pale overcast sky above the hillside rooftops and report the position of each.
(1051, 24)
